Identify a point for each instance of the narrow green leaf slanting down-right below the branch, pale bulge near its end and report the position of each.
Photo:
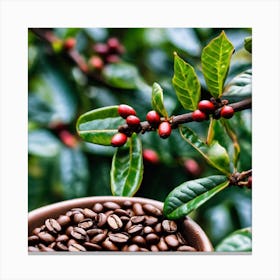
(215, 154)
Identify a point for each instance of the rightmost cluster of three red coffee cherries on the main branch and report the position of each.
(207, 107)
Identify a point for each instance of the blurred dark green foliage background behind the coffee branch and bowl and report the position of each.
(61, 166)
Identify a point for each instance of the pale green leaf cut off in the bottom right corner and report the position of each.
(239, 241)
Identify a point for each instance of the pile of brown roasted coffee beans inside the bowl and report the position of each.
(109, 226)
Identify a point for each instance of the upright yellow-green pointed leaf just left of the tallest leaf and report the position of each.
(186, 84)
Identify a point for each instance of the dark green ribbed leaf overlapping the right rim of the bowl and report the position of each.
(192, 194)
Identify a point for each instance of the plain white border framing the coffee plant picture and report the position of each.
(17, 16)
